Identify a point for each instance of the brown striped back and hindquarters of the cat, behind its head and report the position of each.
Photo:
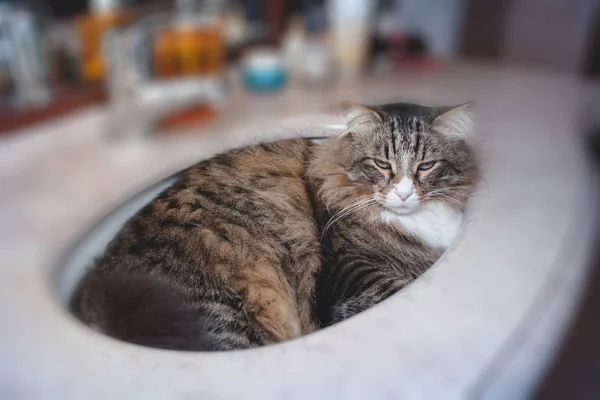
(235, 238)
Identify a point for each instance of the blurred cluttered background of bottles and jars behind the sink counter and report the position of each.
(185, 60)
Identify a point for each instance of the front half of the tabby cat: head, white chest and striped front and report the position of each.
(393, 189)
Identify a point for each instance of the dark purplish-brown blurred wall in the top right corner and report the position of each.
(552, 34)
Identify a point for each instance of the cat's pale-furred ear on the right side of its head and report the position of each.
(455, 121)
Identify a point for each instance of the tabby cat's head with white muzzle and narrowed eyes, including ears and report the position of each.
(398, 157)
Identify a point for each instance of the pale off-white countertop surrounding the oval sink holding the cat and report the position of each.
(59, 178)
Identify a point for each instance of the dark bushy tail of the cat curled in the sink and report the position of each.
(141, 309)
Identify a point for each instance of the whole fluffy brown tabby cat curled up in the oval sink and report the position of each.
(270, 242)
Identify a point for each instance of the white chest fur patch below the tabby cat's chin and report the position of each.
(433, 223)
